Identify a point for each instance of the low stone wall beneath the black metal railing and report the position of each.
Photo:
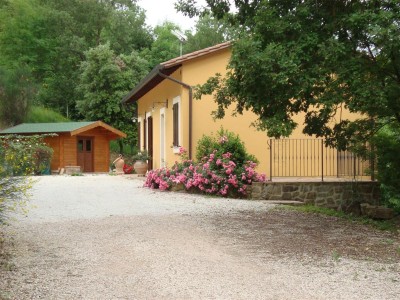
(327, 194)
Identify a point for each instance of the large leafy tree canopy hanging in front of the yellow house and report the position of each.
(310, 56)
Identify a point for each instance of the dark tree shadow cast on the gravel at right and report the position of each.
(282, 233)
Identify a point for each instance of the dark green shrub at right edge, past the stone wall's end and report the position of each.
(387, 145)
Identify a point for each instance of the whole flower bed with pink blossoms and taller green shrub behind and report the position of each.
(218, 172)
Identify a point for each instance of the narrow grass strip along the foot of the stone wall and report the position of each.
(385, 225)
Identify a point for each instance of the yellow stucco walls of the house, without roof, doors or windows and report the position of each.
(193, 72)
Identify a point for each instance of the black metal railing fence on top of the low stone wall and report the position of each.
(311, 158)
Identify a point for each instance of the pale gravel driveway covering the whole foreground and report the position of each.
(106, 237)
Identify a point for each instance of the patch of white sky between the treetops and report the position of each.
(158, 11)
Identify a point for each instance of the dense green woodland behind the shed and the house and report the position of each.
(76, 59)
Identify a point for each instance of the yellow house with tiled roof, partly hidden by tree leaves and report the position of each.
(169, 117)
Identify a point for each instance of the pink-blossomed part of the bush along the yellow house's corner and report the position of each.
(215, 174)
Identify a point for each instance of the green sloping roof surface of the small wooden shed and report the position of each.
(45, 127)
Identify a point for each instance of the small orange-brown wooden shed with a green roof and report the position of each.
(84, 144)
